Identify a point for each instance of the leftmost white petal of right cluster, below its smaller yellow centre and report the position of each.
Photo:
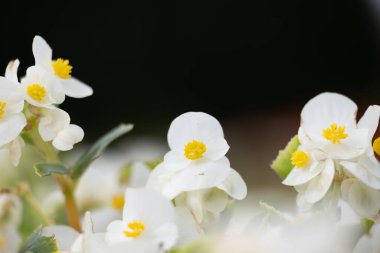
(298, 176)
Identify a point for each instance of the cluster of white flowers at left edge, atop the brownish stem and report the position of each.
(34, 100)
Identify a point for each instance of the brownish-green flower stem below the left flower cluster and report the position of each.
(64, 182)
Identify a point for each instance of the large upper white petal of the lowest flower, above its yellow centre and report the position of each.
(139, 205)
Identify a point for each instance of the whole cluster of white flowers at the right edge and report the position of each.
(336, 156)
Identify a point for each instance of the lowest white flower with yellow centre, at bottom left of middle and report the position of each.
(148, 219)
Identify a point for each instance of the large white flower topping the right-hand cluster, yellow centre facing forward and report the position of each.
(328, 122)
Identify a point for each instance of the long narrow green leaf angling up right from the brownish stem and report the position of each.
(97, 149)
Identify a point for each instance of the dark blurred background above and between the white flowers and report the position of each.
(252, 64)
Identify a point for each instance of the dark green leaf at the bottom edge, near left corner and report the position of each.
(37, 243)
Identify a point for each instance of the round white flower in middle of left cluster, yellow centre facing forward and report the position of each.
(41, 89)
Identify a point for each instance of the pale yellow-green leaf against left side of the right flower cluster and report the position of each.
(283, 165)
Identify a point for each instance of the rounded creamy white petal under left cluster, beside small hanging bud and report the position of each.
(52, 122)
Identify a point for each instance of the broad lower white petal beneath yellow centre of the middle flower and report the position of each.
(201, 175)
